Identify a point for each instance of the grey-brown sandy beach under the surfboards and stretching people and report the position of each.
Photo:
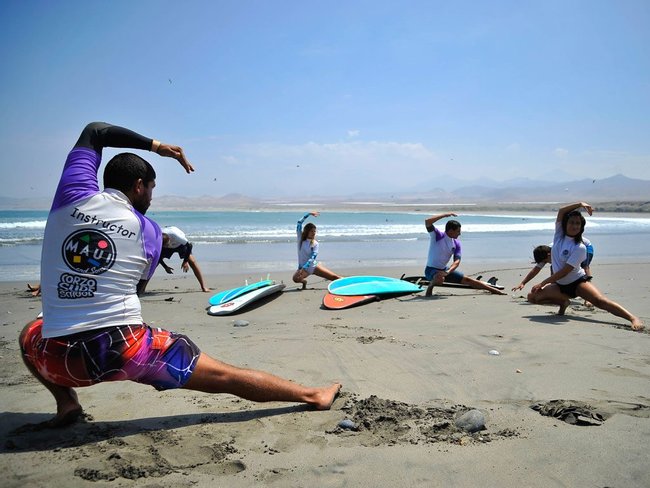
(410, 366)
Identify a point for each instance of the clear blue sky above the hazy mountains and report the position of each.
(304, 97)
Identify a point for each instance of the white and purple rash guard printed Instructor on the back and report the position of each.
(96, 247)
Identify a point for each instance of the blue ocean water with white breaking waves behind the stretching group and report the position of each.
(263, 242)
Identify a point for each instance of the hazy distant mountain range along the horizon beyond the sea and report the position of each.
(619, 191)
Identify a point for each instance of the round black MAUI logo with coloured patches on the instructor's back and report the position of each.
(89, 252)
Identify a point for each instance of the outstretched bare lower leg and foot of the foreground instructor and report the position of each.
(212, 376)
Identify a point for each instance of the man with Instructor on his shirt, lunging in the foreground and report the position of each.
(98, 249)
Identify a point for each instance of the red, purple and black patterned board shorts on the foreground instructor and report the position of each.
(138, 353)
